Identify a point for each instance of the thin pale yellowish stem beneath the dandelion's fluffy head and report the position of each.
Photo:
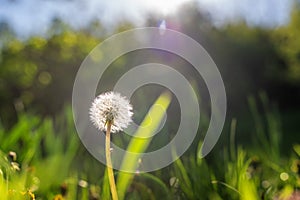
(110, 172)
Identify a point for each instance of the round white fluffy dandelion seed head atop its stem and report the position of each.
(111, 107)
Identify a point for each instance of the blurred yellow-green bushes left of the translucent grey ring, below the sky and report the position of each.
(40, 71)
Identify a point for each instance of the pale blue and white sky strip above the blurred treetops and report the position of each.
(28, 17)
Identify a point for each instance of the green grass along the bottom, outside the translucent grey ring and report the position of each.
(51, 163)
